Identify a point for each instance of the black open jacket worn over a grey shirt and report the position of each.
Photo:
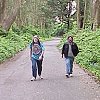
(74, 48)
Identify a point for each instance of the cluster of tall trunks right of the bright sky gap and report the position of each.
(88, 12)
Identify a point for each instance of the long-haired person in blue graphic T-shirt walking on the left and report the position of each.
(36, 56)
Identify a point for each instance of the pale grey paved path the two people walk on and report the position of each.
(15, 78)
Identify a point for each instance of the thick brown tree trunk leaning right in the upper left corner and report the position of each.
(10, 15)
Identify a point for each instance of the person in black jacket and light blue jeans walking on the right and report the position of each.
(69, 51)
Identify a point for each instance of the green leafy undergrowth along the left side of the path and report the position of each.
(16, 40)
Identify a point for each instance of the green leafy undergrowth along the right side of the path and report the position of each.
(89, 46)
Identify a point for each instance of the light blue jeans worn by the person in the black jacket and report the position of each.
(69, 65)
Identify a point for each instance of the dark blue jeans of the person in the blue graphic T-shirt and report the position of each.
(36, 64)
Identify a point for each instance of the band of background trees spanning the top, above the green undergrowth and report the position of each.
(39, 12)
